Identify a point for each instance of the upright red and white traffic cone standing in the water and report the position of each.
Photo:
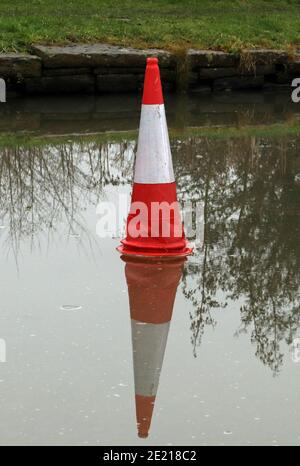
(154, 226)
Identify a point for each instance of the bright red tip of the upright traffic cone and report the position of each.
(152, 86)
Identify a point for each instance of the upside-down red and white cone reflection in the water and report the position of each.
(152, 288)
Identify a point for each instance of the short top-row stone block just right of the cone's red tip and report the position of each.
(210, 58)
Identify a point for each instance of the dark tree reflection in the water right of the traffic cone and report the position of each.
(251, 248)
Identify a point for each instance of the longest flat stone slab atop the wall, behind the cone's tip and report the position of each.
(99, 55)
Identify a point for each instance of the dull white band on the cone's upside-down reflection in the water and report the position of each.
(149, 343)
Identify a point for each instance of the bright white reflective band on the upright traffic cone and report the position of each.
(153, 163)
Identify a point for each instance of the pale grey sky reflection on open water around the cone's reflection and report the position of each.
(69, 375)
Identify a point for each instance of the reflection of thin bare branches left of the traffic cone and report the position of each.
(43, 187)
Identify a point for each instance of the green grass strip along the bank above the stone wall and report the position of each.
(172, 24)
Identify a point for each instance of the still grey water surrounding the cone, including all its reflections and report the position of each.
(75, 353)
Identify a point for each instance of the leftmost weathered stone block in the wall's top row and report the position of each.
(19, 65)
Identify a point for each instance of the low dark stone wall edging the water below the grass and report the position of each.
(101, 68)
